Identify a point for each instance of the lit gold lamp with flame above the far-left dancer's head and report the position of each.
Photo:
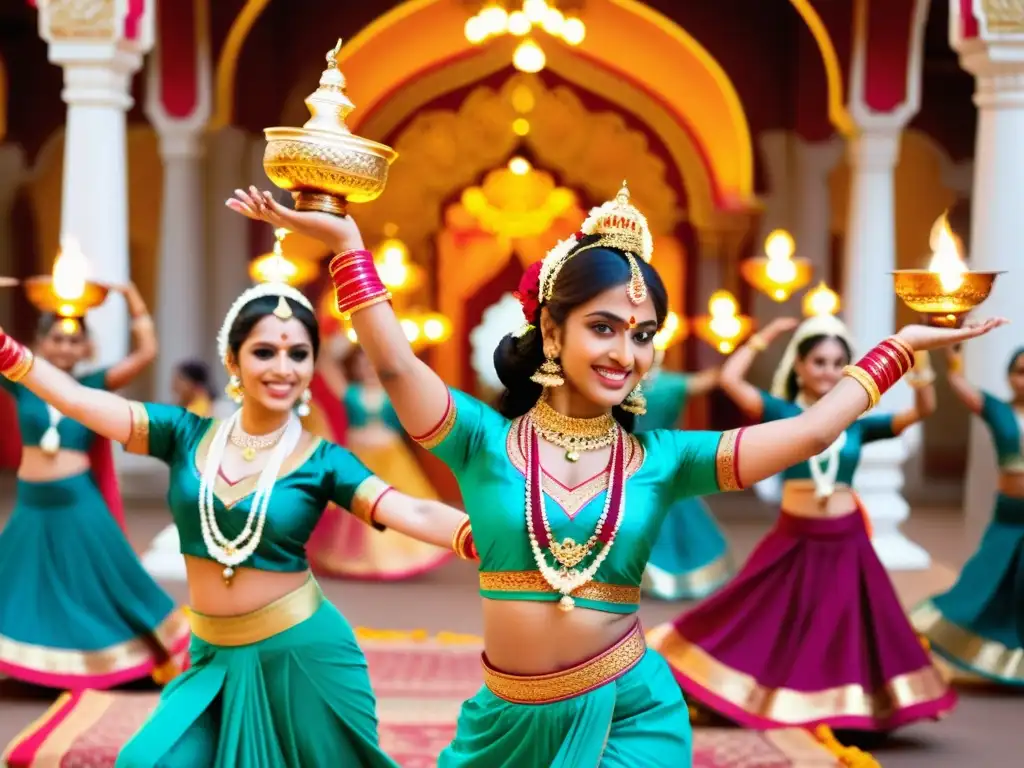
(67, 293)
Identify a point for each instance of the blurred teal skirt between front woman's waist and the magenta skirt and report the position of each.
(691, 559)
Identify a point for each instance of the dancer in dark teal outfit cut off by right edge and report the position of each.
(979, 624)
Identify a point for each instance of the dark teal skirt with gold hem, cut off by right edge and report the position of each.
(978, 625)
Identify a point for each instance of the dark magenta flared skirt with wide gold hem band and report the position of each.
(809, 633)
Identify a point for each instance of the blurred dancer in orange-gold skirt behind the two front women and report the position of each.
(340, 546)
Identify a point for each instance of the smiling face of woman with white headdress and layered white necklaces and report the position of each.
(275, 364)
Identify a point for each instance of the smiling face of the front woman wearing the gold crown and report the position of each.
(606, 347)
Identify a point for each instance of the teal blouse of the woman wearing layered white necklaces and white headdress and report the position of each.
(310, 480)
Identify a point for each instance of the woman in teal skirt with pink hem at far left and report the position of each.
(77, 610)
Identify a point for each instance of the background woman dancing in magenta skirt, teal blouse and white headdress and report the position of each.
(810, 632)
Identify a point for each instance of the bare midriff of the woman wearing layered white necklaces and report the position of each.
(250, 590)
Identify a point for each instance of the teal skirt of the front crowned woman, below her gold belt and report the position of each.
(641, 719)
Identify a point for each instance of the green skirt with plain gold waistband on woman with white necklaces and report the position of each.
(298, 699)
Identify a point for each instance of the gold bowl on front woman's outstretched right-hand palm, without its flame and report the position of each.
(924, 291)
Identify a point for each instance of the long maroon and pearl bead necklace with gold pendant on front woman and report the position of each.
(568, 554)
